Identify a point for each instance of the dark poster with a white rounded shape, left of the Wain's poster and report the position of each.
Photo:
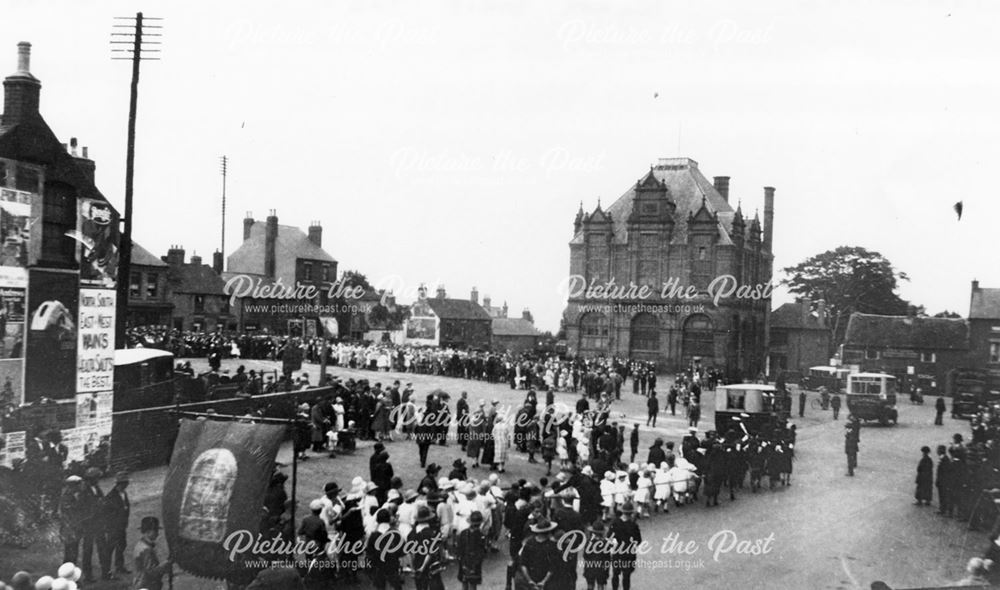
(50, 364)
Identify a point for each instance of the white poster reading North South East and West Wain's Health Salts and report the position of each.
(96, 343)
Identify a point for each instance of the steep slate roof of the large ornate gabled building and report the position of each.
(688, 188)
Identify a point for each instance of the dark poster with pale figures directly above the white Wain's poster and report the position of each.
(99, 241)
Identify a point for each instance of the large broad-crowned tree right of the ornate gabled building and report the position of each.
(849, 279)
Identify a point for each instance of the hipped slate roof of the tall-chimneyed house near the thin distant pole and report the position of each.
(292, 244)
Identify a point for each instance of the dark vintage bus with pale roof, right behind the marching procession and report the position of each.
(760, 408)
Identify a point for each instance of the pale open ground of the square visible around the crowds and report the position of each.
(827, 530)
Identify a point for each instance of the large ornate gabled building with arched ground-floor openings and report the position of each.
(672, 227)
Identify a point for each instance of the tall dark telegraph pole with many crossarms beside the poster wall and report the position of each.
(132, 43)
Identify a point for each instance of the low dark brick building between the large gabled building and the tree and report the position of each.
(799, 338)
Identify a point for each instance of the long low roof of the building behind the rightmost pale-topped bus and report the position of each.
(906, 332)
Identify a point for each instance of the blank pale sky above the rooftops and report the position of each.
(451, 142)
